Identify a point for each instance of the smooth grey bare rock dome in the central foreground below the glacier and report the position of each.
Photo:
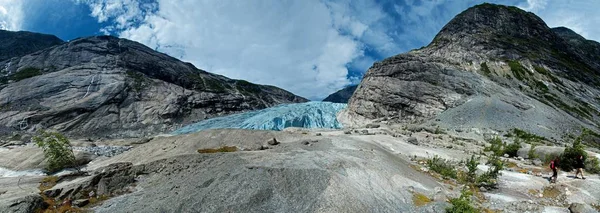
(302, 174)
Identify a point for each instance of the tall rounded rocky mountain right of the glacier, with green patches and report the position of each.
(491, 66)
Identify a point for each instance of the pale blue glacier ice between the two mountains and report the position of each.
(307, 115)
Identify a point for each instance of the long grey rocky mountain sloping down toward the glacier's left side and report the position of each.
(104, 86)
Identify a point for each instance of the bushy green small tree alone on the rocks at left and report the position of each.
(57, 150)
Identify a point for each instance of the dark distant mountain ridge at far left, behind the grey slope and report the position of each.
(15, 44)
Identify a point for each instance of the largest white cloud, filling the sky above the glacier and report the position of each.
(296, 45)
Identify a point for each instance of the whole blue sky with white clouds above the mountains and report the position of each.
(309, 47)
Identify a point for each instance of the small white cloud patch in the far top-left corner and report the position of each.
(11, 15)
